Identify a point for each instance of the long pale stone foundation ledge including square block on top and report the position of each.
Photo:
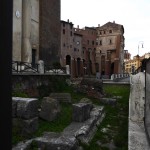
(85, 119)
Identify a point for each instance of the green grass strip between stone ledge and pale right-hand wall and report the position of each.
(116, 121)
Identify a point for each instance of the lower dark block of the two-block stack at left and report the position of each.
(26, 127)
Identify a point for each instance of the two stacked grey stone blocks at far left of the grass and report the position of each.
(25, 114)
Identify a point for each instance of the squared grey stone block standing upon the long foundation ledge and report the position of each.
(81, 111)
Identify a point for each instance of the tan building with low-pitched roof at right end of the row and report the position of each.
(110, 48)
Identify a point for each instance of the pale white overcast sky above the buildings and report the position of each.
(134, 15)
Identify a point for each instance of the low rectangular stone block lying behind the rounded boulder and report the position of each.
(61, 97)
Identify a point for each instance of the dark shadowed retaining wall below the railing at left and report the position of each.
(37, 85)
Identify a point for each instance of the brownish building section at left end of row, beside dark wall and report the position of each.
(71, 49)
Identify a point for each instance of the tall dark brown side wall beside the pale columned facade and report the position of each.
(50, 29)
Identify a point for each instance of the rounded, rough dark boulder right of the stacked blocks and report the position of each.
(50, 109)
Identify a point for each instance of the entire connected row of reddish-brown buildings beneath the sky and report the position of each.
(102, 49)
